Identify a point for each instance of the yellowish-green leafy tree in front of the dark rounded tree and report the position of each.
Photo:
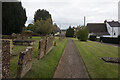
(43, 27)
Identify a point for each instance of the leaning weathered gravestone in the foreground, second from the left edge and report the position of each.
(25, 62)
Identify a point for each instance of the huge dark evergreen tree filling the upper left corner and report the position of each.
(13, 17)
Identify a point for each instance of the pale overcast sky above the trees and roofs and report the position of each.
(72, 12)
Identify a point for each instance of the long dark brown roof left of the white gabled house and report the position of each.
(97, 28)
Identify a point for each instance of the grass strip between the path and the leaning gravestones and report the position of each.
(46, 67)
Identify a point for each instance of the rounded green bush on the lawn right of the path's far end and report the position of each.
(82, 33)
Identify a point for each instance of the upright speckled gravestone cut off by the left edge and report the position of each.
(5, 59)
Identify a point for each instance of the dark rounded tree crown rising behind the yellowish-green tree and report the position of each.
(42, 15)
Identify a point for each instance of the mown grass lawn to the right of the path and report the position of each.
(91, 53)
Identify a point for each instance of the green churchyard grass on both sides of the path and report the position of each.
(90, 52)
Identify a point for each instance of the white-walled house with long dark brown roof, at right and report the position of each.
(106, 29)
